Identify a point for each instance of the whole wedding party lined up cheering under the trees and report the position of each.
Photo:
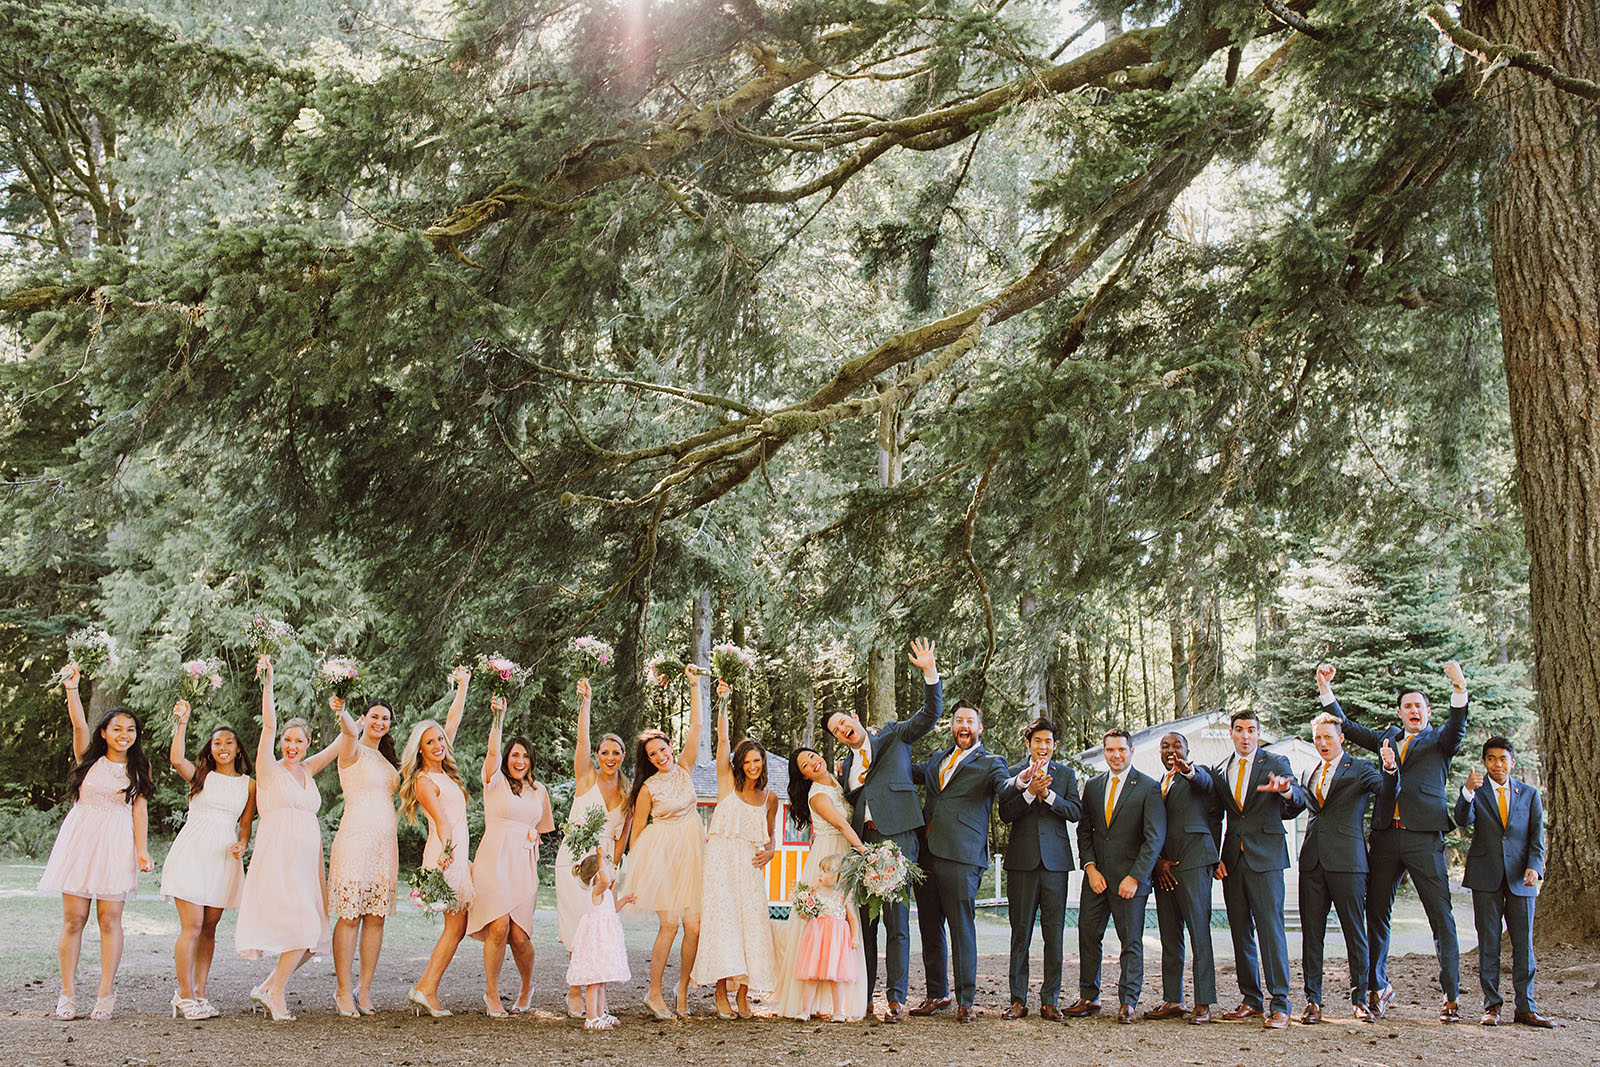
(639, 845)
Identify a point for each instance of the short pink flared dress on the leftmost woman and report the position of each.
(94, 855)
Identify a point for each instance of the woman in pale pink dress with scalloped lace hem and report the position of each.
(364, 865)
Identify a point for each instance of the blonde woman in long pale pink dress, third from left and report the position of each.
(284, 909)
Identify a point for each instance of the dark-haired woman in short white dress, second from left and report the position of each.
(204, 874)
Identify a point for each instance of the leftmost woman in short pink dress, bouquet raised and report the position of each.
(102, 849)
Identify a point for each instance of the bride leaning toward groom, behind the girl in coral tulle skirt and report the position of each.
(817, 801)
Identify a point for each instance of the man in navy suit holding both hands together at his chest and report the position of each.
(1039, 802)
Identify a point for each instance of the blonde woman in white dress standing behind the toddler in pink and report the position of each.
(598, 783)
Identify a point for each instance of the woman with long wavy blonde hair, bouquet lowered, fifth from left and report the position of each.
(431, 781)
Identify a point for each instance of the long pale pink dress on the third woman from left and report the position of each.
(286, 905)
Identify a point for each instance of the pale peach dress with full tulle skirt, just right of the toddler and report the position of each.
(666, 868)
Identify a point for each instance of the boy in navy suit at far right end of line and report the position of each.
(1505, 866)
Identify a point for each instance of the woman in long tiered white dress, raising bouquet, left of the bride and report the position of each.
(737, 935)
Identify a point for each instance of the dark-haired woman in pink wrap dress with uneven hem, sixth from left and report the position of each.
(506, 868)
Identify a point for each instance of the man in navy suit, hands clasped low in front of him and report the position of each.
(1119, 839)
